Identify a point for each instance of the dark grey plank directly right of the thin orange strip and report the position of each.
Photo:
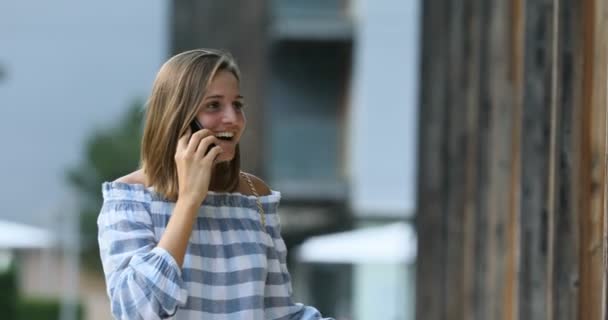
(533, 218)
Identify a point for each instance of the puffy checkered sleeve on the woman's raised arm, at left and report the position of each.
(143, 281)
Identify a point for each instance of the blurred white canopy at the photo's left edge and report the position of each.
(21, 236)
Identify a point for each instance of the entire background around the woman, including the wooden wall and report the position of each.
(437, 159)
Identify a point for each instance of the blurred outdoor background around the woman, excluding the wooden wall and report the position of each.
(332, 90)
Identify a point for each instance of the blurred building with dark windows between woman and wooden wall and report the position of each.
(332, 89)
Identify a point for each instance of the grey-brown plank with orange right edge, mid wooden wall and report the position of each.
(503, 95)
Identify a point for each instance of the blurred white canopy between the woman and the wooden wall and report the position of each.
(394, 243)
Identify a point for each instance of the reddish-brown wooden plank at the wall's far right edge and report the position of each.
(593, 163)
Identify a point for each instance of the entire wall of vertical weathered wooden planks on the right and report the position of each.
(512, 160)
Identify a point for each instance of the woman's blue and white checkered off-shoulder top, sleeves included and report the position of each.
(233, 268)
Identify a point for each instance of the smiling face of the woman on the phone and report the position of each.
(222, 113)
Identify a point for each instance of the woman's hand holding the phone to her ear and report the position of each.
(194, 168)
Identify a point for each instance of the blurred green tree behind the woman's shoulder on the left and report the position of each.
(109, 153)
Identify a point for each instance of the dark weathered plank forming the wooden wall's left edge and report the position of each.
(430, 221)
